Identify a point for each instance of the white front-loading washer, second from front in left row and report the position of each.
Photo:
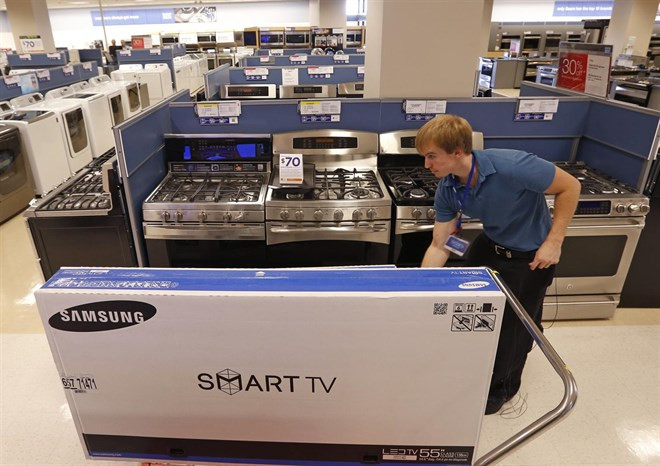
(43, 143)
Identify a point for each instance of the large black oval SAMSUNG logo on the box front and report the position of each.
(102, 316)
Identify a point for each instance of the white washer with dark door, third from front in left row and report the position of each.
(74, 129)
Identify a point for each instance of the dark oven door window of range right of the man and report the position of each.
(591, 256)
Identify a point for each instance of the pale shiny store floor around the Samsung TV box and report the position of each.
(616, 363)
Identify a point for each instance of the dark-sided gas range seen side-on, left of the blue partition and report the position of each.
(84, 222)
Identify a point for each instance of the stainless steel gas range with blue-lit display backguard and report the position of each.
(209, 209)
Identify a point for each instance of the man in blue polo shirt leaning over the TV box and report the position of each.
(520, 240)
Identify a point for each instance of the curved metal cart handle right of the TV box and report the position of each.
(551, 417)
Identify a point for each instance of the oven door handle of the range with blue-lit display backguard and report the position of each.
(229, 231)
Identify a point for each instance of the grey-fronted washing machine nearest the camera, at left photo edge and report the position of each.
(16, 188)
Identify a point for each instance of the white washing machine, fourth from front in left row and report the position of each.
(99, 118)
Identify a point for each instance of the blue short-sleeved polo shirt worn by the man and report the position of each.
(508, 197)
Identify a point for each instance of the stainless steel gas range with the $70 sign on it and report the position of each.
(341, 214)
